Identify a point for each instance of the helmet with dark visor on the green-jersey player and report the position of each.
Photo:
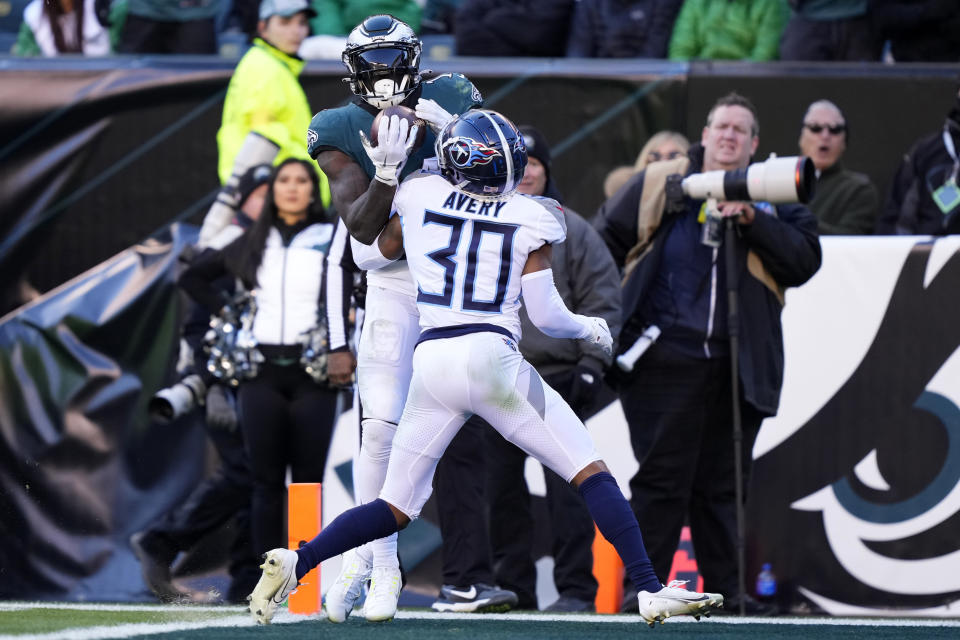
(383, 57)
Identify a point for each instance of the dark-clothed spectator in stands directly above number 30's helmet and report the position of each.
(513, 28)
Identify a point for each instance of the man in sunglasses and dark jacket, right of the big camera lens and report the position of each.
(844, 202)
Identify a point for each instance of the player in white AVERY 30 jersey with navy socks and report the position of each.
(473, 246)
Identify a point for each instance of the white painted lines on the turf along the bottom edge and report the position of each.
(132, 630)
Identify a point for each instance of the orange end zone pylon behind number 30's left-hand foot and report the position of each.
(303, 523)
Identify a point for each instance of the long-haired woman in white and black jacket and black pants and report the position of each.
(287, 418)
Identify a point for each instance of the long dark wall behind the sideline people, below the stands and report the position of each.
(95, 155)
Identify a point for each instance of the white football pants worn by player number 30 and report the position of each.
(483, 374)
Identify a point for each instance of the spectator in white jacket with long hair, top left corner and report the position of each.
(56, 27)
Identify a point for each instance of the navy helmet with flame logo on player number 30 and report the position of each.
(482, 153)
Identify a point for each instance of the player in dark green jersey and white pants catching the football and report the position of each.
(382, 55)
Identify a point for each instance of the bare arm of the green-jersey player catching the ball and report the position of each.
(363, 204)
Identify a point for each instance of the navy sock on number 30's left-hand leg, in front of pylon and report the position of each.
(349, 530)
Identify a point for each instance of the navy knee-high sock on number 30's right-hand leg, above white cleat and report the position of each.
(618, 525)
